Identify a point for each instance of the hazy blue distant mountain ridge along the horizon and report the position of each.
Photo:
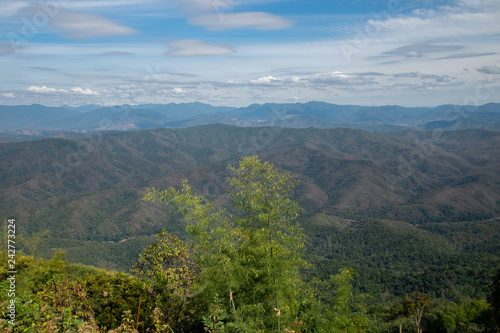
(298, 115)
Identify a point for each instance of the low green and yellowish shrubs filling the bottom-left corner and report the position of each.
(54, 296)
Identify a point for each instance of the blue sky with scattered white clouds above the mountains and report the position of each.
(240, 52)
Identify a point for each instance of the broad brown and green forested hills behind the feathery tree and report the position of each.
(409, 209)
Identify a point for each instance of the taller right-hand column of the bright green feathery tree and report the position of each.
(272, 243)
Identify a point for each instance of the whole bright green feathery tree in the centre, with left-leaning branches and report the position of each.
(250, 252)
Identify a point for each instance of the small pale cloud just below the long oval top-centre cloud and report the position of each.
(197, 48)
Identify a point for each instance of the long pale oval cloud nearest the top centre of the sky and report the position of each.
(245, 20)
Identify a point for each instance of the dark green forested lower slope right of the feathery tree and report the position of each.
(398, 258)
